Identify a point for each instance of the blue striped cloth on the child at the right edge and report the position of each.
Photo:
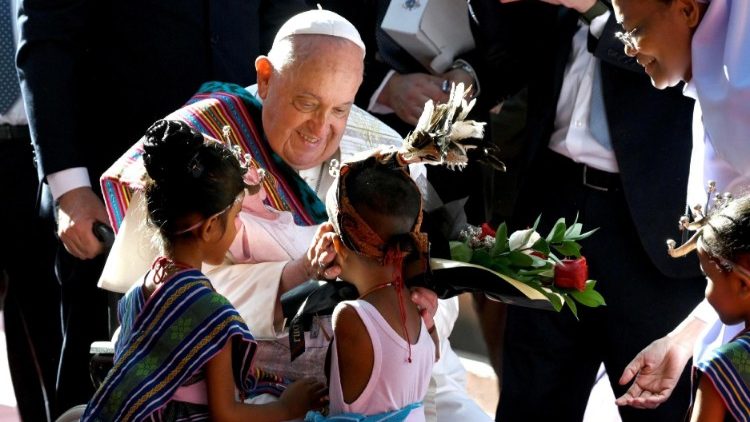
(728, 368)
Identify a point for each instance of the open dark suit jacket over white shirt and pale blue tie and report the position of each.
(650, 129)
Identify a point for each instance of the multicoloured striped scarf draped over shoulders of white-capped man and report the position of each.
(215, 106)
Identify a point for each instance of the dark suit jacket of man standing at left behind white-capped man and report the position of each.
(96, 73)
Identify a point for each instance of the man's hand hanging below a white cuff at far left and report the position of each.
(78, 210)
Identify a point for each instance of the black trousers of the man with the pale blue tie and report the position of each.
(550, 359)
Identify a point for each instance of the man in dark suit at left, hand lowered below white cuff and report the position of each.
(95, 75)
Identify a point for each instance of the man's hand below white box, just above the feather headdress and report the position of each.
(407, 94)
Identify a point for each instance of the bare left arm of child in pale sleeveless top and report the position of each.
(354, 350)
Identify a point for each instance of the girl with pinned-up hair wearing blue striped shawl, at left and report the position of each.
(183, 351)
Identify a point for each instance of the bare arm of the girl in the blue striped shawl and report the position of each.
(300, 397)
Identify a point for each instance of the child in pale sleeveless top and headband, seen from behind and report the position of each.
(382, 352)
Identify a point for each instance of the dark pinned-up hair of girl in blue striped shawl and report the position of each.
(189, 176)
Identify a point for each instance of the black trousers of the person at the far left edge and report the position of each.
(32, 303)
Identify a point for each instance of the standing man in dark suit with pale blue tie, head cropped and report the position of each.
(604, 145)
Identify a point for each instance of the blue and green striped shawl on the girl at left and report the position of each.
(165, 342)
